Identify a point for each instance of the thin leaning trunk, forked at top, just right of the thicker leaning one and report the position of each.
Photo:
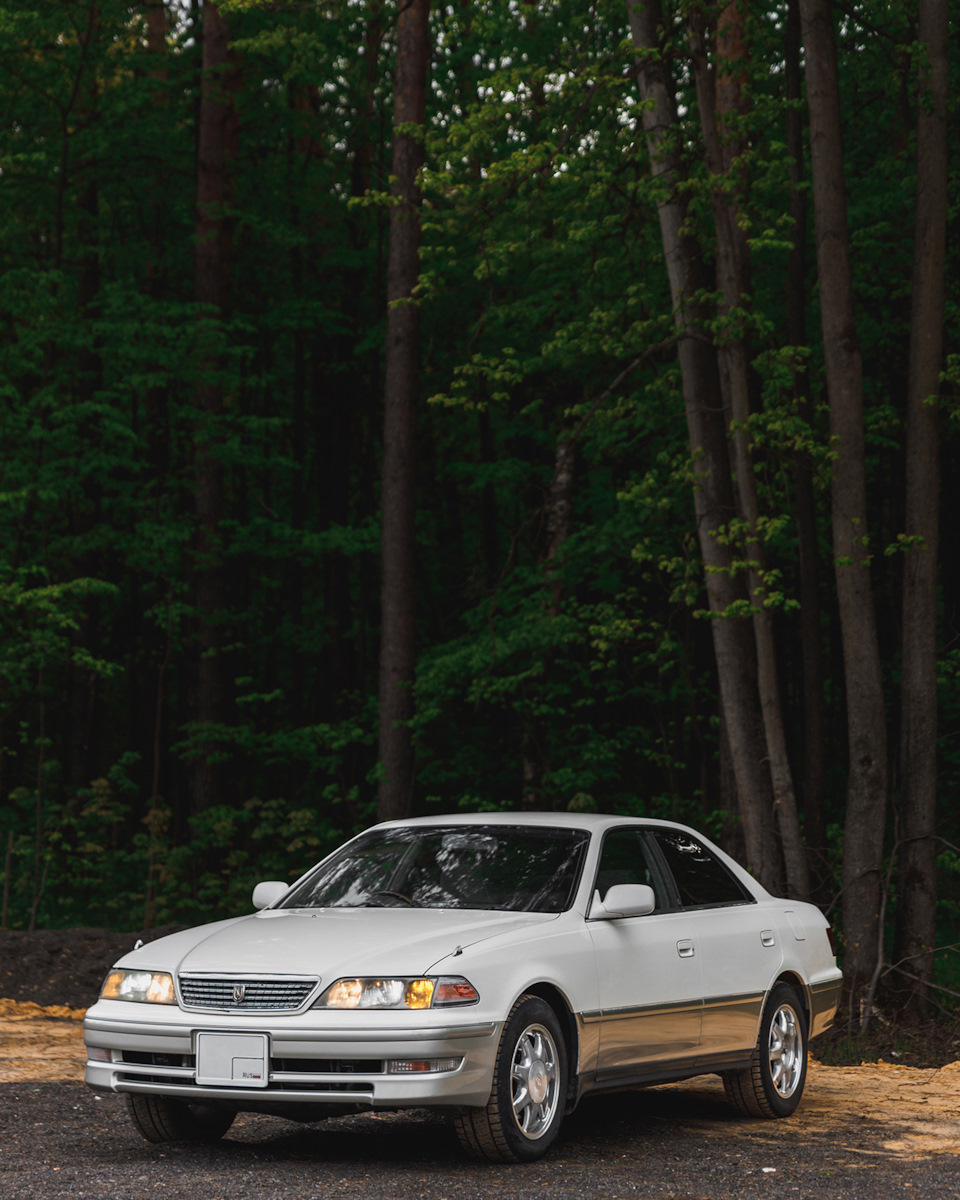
(719, 97)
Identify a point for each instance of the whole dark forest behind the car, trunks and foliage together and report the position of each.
(499, 405)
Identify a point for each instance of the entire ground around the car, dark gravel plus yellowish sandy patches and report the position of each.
(874, 1131)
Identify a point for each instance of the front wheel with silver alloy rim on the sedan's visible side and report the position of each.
(529, 1097)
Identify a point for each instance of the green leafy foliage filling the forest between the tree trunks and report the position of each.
(569, 673)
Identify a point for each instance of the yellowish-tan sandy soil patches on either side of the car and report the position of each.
(921, 1107)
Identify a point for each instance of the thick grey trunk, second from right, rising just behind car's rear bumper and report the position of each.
(867, 736)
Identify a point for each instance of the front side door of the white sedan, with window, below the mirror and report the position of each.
(649, 968)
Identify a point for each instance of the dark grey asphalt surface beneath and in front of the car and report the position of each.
(683, 1143)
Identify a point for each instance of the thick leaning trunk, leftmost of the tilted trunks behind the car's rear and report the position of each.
(733, 640)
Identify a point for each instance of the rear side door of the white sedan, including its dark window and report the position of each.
(740, 946)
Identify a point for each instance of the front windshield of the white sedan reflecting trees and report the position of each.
(513, 868)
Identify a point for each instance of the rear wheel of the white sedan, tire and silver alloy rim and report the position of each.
(773, 1084)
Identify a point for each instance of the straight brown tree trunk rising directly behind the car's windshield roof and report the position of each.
(401, 387)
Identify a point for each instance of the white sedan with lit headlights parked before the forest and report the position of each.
(499, 967)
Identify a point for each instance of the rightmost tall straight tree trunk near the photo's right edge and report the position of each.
(919, 747)
